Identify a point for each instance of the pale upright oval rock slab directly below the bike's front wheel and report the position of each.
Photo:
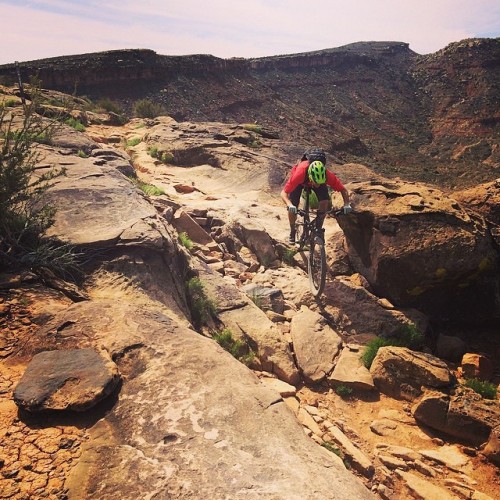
(316, 345)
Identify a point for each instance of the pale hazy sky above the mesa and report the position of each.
(37, 29)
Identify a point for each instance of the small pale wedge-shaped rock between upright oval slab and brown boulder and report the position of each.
(350, 371)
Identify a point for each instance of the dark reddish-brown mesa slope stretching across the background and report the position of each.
(432, 118)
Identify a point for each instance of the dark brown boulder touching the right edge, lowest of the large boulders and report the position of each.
(464, 415)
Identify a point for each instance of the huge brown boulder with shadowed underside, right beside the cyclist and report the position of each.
(418, 247)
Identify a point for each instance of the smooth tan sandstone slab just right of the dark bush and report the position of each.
(98, 206)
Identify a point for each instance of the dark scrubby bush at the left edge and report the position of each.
(25, 214)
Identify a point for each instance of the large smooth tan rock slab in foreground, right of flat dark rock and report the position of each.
(191, 421)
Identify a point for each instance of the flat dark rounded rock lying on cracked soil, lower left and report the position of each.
(74, 379)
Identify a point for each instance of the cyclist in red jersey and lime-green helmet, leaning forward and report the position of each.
(311, 171)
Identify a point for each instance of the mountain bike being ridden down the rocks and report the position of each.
(310, 235)
